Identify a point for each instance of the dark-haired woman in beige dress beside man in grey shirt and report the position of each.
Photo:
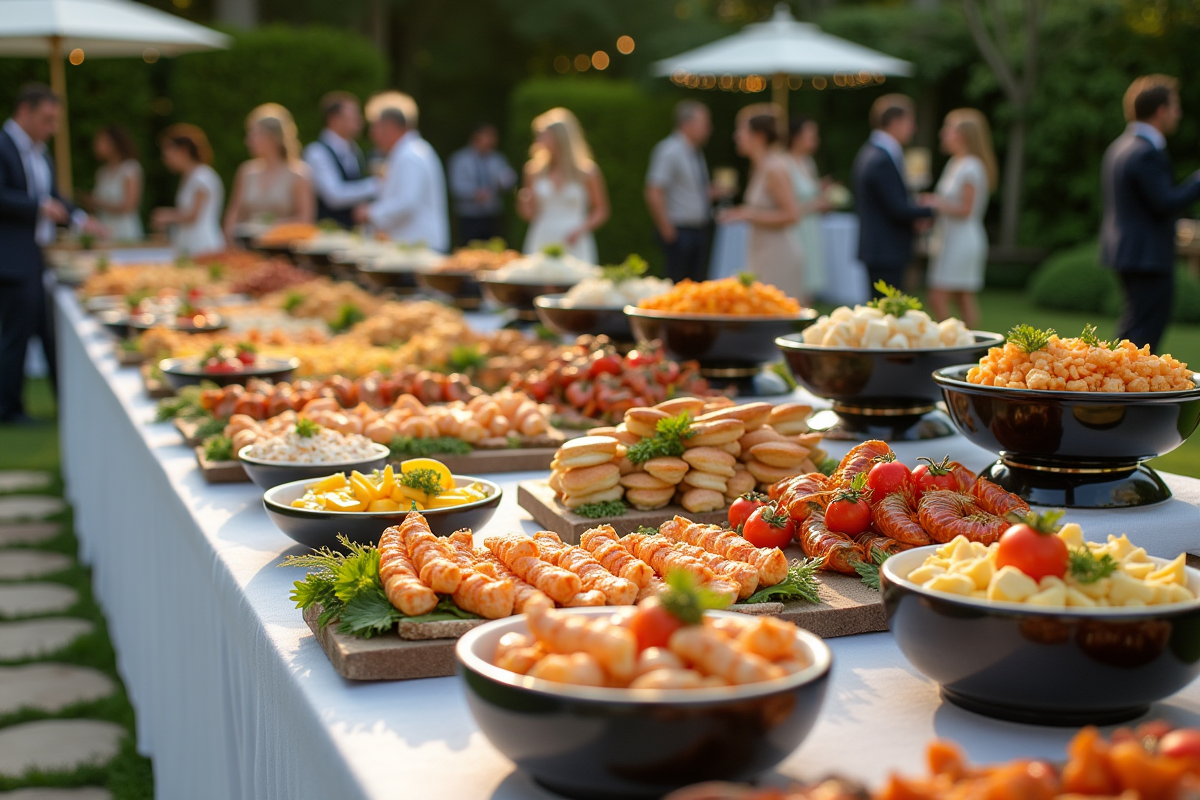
(773, 252)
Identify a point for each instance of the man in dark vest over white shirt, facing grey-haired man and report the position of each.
(339, 171)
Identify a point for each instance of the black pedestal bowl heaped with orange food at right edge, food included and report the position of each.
(1075, 420)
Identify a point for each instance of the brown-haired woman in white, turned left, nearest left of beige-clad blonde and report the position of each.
(195, 221)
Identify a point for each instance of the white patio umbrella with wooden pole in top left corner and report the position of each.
(101, 29)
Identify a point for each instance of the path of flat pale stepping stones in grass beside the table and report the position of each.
(57, 744)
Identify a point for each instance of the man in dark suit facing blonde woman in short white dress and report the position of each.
(887, 214)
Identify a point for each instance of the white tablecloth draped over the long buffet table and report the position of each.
(236, 700)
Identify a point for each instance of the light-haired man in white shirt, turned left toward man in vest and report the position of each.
(412, 204)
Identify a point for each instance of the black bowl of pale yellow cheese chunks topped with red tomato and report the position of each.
(1079, 633)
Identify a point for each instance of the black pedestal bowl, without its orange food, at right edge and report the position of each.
(1072, 449)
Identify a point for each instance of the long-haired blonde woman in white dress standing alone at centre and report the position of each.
(563, 195)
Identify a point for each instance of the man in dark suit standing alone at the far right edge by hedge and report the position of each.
(1142, 204)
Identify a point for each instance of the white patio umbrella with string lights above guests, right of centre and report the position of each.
(782, 51)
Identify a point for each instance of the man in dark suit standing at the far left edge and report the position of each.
(31, 208)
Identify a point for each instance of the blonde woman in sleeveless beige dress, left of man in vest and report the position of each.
(275, 185)
